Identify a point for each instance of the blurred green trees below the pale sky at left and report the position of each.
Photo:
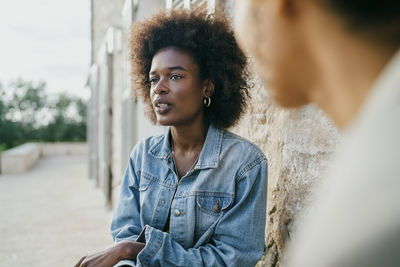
(28, 113)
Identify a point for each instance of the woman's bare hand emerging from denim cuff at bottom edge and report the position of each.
(125, 250)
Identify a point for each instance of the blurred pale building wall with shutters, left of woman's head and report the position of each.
(116, 121)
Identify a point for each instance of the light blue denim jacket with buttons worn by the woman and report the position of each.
(217, 210)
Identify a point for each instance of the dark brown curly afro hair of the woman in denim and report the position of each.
(210, 41)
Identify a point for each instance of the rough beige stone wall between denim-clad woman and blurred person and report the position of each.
(298, 144)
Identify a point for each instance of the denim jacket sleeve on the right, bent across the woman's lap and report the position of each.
(238, 239)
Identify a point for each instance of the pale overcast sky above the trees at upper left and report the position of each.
(46, 40)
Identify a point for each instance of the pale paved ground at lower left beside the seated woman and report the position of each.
(51, 215)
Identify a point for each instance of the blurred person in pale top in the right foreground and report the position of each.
(343, 56)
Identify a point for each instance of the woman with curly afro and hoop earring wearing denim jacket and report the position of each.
(195, 196)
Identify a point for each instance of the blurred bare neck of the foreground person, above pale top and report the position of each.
(348, 65)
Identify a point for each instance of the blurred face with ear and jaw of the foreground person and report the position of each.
(273, 32)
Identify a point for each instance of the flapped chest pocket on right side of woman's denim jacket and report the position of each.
(209, 209)
